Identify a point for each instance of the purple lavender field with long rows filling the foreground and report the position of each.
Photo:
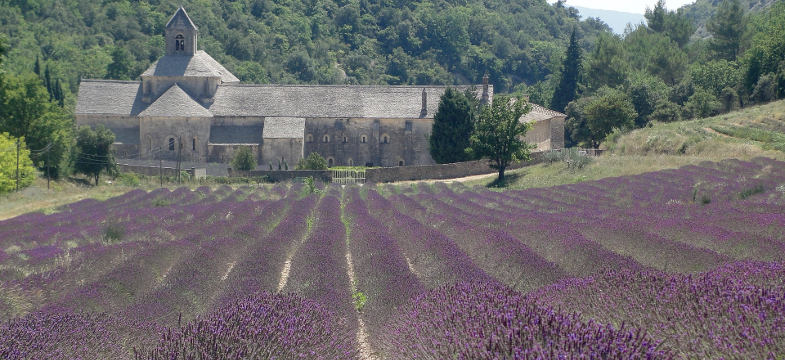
(685, 263)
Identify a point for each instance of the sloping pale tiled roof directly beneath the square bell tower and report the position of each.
(200, 64)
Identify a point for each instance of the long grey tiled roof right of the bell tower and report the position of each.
(326, 101)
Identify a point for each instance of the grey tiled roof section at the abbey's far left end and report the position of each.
(109, 97)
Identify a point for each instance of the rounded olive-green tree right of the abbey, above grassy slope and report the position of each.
(609, 109)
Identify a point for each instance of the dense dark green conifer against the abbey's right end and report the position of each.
(452, 127)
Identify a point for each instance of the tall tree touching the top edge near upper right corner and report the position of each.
(727, 27)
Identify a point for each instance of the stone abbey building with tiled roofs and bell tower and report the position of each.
(188, 103)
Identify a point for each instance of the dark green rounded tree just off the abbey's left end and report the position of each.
(93, 153)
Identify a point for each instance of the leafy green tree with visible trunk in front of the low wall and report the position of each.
(498, 134)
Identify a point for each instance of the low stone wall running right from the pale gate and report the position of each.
(441, 171)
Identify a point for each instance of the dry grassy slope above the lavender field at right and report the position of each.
(744, 134)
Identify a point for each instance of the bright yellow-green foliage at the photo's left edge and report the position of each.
(8, 164)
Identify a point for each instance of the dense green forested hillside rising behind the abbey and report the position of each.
(301, 41)
